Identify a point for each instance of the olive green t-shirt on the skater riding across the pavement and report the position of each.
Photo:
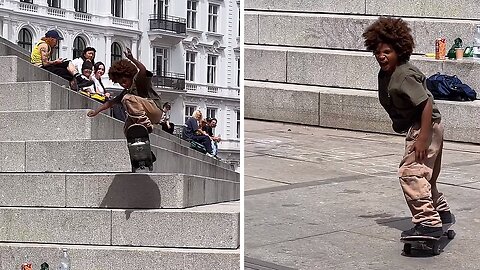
(401, 93)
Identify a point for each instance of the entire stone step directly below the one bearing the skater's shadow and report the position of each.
(208, 226)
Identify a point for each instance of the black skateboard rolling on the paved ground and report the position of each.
(427, 242)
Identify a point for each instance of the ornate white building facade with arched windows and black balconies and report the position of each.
(192, 47)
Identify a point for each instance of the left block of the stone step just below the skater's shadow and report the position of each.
(55, 225)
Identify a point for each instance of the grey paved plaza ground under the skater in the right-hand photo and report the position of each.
(319, 198)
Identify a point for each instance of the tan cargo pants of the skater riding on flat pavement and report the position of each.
(419, 180)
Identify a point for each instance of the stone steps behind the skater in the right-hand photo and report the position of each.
(305, 61)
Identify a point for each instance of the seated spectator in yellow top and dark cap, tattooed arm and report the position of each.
(42, 52)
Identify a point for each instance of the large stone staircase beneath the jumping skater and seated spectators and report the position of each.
(66, 182)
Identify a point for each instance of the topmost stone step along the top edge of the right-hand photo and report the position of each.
(410, 8)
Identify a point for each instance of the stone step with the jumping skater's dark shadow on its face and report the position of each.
(126, 191)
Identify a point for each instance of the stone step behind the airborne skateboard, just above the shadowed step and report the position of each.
(90, 156)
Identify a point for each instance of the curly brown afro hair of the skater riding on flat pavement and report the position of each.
(391, 31)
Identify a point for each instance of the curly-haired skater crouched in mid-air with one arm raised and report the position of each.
(140, 101)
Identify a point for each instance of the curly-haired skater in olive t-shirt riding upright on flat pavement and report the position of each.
(403, 94)
